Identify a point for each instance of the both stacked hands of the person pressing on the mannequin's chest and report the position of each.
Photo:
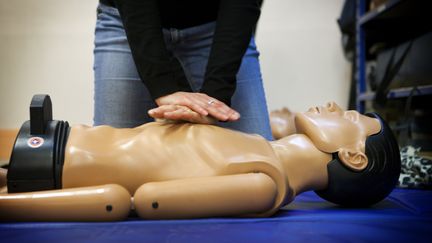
(192, 107)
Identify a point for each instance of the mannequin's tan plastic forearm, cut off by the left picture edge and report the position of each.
(97, 203)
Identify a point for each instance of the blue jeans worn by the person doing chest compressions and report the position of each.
(122, 100)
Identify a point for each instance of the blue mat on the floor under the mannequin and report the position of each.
(405, 216)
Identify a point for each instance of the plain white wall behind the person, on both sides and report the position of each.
(46, 47)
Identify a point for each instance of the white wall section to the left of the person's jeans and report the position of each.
(46, 47)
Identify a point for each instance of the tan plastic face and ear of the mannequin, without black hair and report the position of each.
(332, 129)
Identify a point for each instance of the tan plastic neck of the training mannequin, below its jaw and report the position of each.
(304, 165)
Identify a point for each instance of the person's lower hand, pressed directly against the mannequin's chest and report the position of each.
(179, 112)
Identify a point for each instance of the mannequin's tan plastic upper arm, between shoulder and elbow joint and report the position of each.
(230, 195)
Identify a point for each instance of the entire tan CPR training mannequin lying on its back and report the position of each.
(184, 170)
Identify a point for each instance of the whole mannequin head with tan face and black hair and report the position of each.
(366, 160)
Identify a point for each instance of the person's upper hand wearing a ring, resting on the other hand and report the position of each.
(200, 103)
